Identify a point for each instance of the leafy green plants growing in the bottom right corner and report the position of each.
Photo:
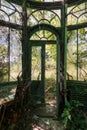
(74, 118)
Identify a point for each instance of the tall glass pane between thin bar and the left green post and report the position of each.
(15, 54)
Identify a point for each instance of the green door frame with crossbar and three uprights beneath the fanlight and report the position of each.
(42, 43)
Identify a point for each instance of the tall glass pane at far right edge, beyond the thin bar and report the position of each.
(82, 54)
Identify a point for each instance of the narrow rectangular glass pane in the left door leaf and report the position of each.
(36, 63)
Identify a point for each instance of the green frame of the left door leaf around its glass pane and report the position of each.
(42, 81)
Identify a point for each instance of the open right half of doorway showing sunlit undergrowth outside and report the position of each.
(50, 77)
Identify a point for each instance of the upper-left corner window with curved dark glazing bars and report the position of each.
(10, 12)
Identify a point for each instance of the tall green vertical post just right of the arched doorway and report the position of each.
(64, 40)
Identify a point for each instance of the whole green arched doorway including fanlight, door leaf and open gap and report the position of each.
(44, 64)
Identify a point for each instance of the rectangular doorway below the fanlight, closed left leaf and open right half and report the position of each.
(44, 72)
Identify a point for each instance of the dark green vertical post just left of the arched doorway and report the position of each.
(24, 40)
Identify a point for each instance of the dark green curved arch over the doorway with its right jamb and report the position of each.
(57, 34)
